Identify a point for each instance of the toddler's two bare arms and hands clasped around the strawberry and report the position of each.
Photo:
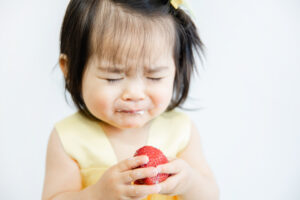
(191, 178)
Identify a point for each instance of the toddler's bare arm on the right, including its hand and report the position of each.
(192, 178)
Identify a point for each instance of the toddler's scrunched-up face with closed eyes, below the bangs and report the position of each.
(128, 97)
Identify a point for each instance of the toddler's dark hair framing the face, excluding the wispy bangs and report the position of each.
(79, 24)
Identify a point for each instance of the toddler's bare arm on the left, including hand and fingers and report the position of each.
(63, 179)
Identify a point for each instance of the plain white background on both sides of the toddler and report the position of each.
(249, 93)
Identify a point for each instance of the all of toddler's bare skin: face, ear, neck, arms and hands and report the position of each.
(109, 96)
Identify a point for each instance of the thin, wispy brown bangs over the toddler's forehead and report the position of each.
(121, 37)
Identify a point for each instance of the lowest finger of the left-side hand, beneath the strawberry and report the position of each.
(142, 190)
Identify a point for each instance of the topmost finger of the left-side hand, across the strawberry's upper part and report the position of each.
(132, 163)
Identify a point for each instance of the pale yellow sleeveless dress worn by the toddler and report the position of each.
(86, 143)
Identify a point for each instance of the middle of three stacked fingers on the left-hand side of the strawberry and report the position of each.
(132, 175)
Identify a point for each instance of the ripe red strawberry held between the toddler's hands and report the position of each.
(156, 157)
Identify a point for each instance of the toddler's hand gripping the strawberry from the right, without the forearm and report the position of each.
(181, 177)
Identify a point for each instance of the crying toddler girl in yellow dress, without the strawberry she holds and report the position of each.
(127, 65)
